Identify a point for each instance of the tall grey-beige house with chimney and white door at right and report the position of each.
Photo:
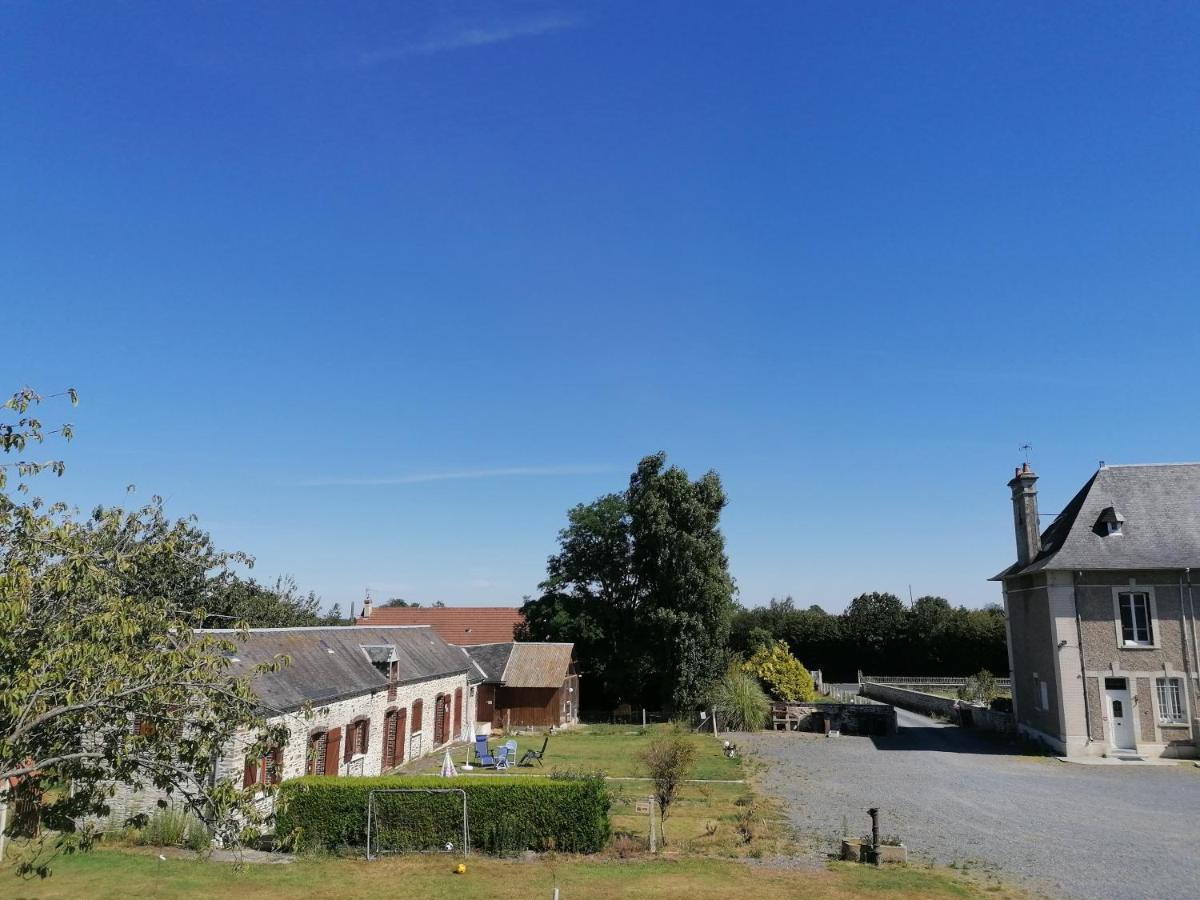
(1102, 615)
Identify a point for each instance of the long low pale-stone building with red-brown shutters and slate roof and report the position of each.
(356, 701)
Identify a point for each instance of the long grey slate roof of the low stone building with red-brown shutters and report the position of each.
(329, 663)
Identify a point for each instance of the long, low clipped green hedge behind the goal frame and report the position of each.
(505, 814)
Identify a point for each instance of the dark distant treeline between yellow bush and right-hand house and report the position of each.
(880, 634)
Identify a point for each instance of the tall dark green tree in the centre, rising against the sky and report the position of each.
(641, 586)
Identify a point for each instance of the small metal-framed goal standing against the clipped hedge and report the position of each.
(417, 820)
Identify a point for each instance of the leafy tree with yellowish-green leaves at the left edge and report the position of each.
(104, 680)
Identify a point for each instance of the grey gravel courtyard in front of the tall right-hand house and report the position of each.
(955, 797)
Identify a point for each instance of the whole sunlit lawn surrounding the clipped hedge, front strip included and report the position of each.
(725, 841)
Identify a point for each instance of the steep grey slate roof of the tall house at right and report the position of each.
(1159, 508)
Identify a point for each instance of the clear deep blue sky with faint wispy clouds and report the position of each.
(310, 266)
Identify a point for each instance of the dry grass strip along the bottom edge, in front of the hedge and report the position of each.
(128, 873)
